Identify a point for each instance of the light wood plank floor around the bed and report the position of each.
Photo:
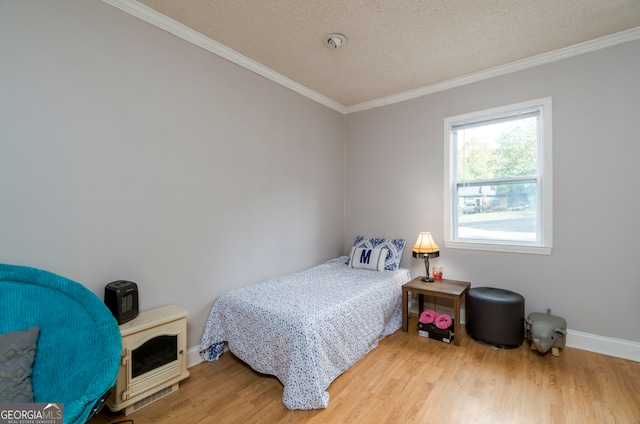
(410, 379)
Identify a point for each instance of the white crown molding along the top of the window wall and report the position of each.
(577, 49)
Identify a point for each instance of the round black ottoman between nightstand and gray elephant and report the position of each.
(495, 317)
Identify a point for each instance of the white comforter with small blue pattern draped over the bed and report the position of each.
(307, 328)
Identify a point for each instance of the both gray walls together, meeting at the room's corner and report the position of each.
(127, 153)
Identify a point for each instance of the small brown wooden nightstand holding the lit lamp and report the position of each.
(447, 289)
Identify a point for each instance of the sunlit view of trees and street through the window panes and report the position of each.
(497, 175)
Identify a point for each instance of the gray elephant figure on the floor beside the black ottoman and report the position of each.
(546, 332)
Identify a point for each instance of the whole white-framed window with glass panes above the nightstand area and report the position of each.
(498, 179)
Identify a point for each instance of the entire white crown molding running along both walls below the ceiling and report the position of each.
(155, 18)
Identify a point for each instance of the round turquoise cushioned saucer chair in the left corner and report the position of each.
(78, 350)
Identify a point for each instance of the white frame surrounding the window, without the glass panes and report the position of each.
(545, 181)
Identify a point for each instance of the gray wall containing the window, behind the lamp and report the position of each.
(592, 278)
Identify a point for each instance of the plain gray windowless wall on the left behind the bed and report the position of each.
(127, 153)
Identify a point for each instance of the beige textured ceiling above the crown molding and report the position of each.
(394, 46)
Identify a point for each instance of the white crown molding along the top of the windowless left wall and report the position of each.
(157, 19)
